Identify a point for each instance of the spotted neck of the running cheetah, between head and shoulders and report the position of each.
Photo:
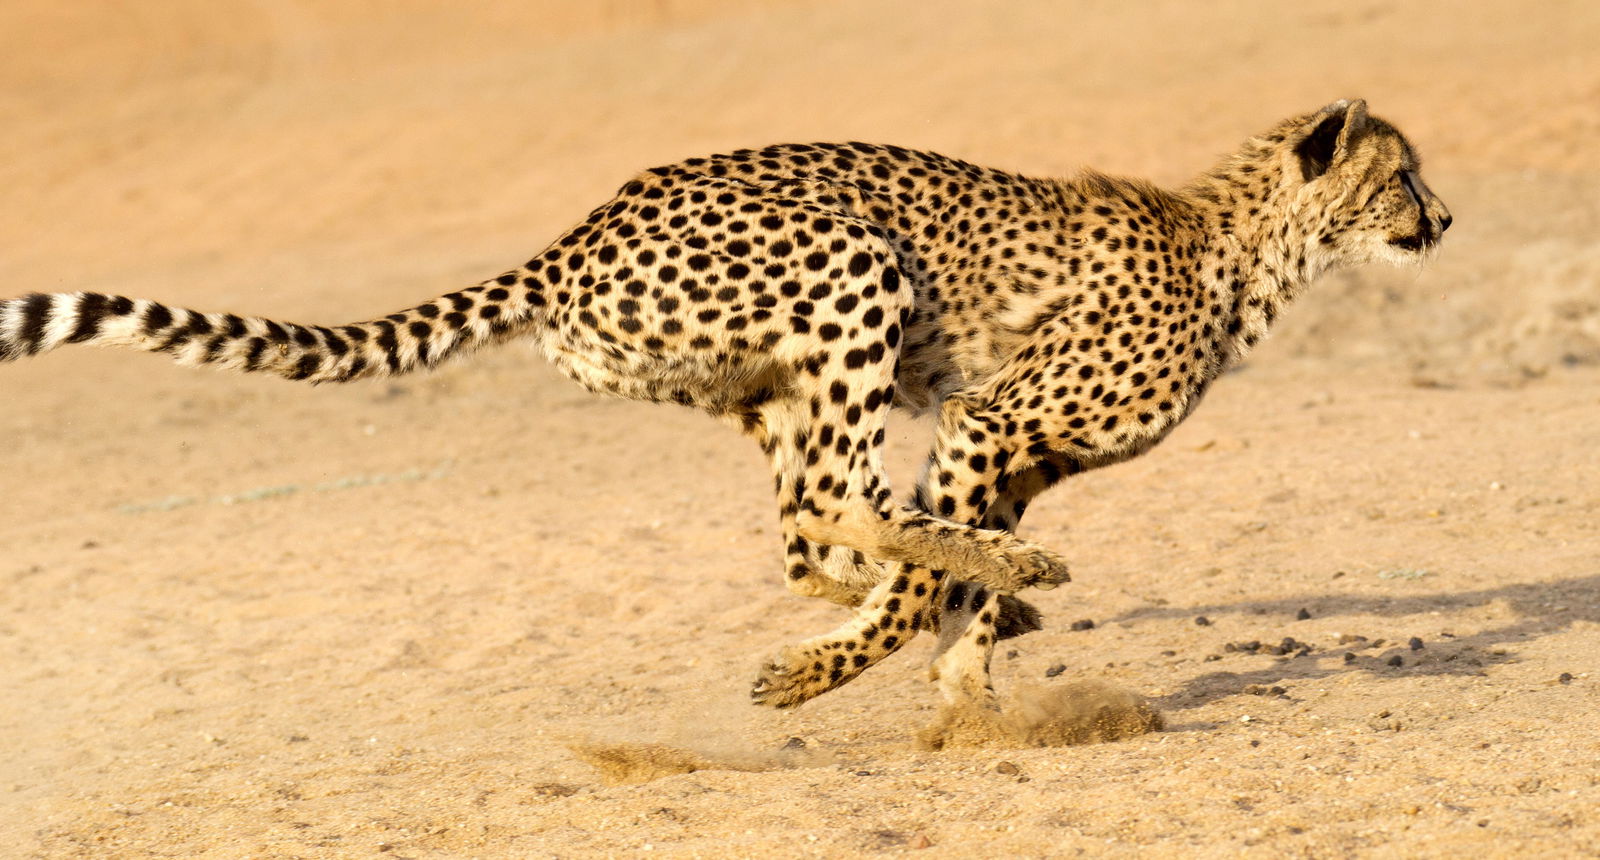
(1254, 253)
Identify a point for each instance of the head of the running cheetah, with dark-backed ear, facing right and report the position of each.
(1361, 194)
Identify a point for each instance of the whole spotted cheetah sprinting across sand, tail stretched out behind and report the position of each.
(802, 292)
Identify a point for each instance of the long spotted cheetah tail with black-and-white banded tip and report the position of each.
(401, 343)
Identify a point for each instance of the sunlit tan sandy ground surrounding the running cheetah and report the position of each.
(249, 619)
